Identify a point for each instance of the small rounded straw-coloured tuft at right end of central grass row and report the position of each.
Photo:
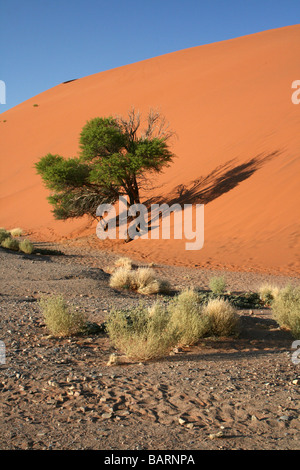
(223, 317)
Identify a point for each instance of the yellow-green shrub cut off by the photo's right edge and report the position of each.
(286, 309)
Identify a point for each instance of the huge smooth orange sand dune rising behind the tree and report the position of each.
(238, 135)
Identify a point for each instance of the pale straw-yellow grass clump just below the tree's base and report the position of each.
(141, 280)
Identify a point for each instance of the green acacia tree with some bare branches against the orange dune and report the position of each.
(116, 158)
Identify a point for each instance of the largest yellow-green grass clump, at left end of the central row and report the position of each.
(142, 333)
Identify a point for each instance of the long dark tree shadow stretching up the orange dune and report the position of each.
(221, 180)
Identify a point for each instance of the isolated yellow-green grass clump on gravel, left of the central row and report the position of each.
(60, 318)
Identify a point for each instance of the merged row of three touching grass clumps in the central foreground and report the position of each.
(144, 333)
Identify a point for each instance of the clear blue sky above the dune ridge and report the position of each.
(46, 42)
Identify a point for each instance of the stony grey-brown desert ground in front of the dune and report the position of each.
(60, 394)
